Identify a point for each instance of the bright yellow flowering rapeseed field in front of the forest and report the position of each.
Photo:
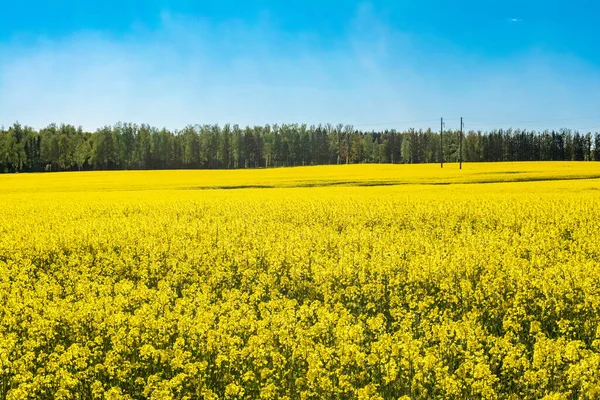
(340, 282)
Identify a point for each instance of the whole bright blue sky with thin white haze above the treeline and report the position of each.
(378, 64)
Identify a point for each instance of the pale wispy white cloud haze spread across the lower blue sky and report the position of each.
(192, 71)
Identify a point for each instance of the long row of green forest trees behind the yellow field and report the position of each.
(131, 146)
